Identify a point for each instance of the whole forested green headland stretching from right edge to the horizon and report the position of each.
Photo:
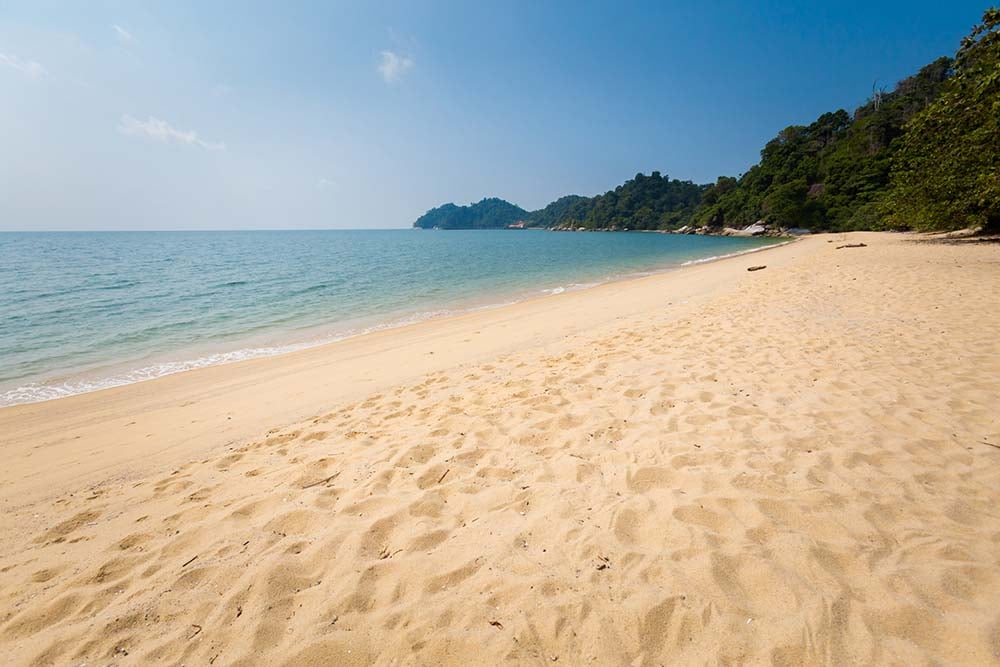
(923, 156)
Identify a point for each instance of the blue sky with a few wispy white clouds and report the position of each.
(304, 115)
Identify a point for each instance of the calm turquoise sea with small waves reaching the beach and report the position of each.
(83, 311)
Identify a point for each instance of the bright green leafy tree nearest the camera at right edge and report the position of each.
(946, 173)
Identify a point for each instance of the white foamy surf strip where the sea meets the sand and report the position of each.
(159, 365)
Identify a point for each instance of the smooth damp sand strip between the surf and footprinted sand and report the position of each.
(200, 399)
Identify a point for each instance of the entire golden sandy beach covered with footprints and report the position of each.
(799, 465)
